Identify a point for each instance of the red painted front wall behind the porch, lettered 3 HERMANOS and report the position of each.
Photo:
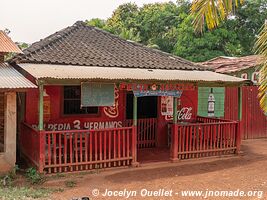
(188, 99)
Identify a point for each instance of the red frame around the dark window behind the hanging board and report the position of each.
(62, 114)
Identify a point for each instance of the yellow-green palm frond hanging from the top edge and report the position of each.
(212, 12)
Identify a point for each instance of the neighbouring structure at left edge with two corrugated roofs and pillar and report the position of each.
(11, 82)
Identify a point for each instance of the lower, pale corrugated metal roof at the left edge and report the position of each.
(12, 79)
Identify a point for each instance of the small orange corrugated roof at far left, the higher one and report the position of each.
(7, 45)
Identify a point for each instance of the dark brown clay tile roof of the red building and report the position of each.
(83, 45)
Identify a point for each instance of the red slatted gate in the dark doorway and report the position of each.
(146, 132)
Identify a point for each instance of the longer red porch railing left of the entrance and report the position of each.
(77, 150)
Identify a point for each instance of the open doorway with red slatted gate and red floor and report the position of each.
(147, 126)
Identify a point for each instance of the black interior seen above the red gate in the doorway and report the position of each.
(146, 107)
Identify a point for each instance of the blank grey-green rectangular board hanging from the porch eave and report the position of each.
(97, 94)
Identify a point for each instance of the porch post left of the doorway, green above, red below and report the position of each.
(134, 134)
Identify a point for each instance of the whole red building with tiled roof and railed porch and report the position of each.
(106, 102)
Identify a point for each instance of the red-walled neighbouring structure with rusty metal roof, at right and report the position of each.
(254, 121)
